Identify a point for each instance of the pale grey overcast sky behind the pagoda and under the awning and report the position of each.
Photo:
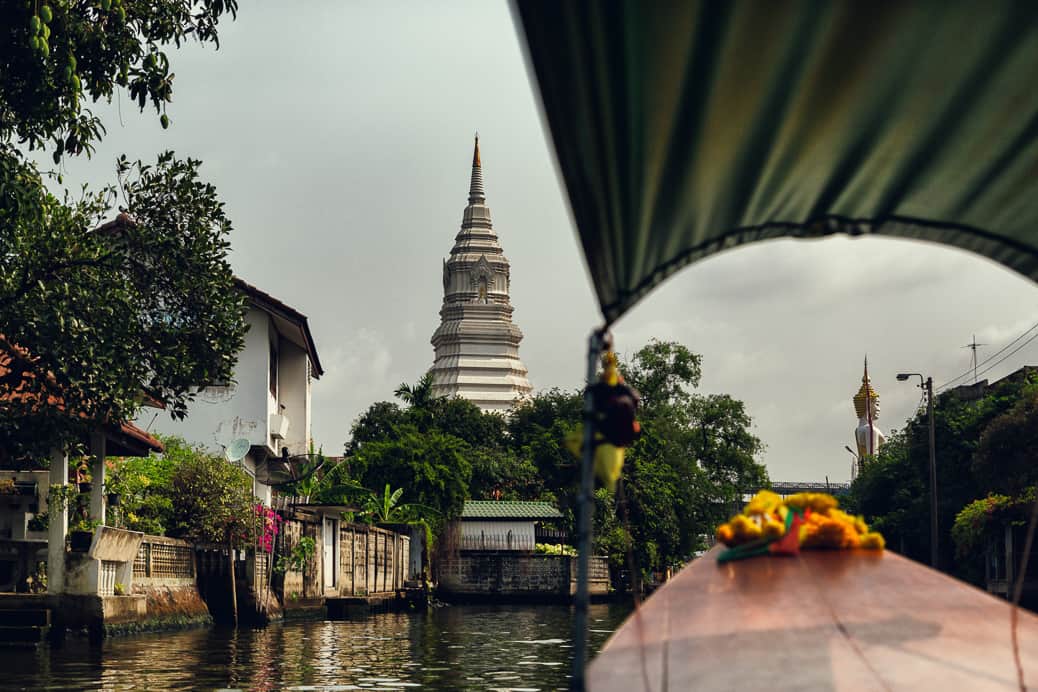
(340, 136)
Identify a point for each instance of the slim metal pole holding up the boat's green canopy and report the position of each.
(585, 504)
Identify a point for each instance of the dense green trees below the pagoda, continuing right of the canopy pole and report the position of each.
(696, 458)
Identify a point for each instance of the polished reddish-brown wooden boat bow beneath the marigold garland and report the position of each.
(824, 621)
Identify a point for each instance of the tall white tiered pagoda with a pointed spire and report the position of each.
(477, 345)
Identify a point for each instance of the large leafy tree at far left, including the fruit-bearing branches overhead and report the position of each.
(97, 317)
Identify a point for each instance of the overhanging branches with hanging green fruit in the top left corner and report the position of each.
(53, 56)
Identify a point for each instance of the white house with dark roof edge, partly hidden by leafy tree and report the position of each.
(268, 403)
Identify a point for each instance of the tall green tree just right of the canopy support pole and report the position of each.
(695, 460)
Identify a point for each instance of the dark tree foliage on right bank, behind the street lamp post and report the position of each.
(985, 455)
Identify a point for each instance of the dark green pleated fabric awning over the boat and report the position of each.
(684, 129)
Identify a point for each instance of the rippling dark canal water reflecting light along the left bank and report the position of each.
(448, 648)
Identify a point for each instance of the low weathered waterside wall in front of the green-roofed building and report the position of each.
(507, 574)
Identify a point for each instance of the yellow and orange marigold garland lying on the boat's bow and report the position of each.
(773, 525)
